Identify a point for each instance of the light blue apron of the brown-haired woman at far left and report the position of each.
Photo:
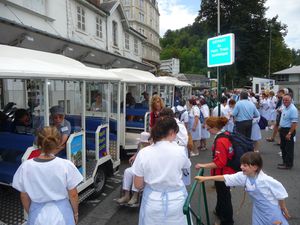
(51, 213)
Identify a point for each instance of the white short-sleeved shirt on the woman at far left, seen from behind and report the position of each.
(47, 181)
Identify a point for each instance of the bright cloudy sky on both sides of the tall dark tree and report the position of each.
(175, 14)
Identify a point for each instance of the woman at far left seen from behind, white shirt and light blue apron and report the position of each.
(48, 184)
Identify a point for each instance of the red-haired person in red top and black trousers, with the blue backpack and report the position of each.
(227, 150)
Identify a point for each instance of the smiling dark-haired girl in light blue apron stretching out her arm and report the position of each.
(267, 194)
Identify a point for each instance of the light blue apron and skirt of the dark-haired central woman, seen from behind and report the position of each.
(165, 210)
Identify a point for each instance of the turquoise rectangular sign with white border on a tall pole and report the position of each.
(220, 50)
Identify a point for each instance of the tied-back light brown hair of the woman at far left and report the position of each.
(48, 139)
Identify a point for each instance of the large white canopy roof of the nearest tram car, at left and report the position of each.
(25, 63)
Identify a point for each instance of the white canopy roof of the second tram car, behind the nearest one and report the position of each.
(138, 76)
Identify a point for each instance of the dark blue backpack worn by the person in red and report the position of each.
(240, 145)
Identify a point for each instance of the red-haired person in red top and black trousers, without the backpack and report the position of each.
(222, 152)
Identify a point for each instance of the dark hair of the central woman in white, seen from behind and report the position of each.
(162, 128)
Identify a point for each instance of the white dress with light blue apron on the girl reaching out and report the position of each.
(265, 192)
